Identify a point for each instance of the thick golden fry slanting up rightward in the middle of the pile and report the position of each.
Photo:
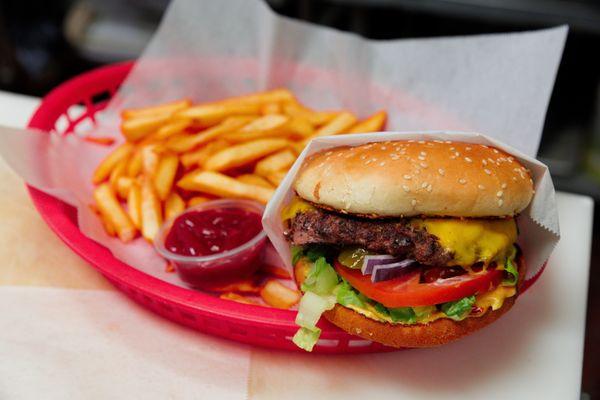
(243, 153)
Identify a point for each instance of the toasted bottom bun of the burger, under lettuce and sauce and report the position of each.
(435, 333)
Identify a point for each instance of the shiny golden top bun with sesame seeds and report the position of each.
(410, 178)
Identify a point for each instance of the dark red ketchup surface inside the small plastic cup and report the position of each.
(211, 231)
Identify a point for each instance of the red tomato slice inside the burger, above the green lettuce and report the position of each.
(407, 291)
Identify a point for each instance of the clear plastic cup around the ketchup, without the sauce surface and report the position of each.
(216, 269)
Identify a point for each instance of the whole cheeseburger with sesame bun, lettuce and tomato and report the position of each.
(406, 243)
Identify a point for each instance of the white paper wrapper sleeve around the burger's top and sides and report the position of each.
(538, 223)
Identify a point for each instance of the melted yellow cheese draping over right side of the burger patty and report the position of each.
(472, 240)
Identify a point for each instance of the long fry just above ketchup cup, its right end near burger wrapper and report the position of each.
(222, 185)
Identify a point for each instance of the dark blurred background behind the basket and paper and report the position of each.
(44, 43)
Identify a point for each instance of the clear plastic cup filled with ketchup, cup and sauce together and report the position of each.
(214, 243)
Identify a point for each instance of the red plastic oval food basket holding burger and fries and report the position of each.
(256, 325)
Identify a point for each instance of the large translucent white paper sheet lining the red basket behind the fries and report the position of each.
(498, 84)
